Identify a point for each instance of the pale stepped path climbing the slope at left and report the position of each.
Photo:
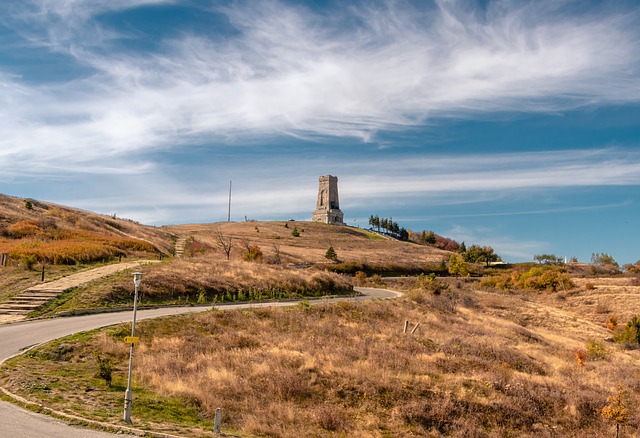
(17, 308)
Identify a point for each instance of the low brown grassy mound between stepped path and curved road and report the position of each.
(201, 280)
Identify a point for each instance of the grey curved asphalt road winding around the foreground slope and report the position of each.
(14, 338)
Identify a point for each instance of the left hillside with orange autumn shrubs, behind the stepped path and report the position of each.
(65, 240)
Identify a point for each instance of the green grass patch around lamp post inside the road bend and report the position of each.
(86, 375)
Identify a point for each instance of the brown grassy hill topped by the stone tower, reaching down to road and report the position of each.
(266, 261)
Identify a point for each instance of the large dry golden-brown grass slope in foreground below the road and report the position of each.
(480, 364)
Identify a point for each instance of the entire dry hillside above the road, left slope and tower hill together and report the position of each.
(63, 240)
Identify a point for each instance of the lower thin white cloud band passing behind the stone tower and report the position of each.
(279, 188)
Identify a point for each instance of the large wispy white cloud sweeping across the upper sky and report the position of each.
(290, 71)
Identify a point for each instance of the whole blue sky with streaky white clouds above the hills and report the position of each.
(513, 124)
